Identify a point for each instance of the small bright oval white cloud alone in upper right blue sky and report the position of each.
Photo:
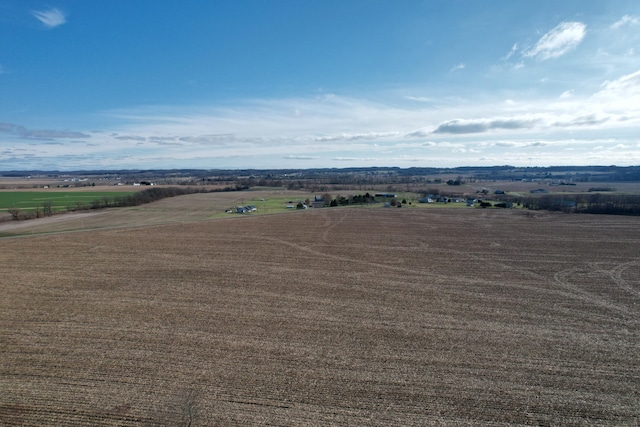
(557, 42)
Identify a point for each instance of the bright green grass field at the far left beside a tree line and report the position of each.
(29, 201)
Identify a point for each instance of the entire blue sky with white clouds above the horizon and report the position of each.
(287, 84)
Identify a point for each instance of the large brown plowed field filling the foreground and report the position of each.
(347, 317)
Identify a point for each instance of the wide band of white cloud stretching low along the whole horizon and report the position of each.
(264, 133)
